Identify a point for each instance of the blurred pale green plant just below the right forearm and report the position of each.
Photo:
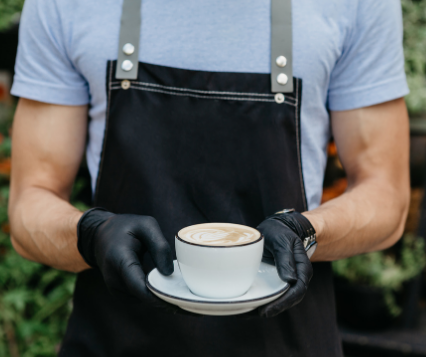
(384, 270)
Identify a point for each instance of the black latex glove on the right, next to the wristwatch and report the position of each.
(284, 248)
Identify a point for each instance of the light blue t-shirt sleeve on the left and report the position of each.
(43, 69)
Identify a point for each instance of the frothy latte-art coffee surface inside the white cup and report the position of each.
(219, 234)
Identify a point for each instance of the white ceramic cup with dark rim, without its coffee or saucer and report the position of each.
(219, 272)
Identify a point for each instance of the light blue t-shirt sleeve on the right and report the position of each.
(370, 69)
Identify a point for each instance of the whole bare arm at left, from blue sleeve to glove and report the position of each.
(48, 144)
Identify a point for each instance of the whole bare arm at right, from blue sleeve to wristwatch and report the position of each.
(373, 145)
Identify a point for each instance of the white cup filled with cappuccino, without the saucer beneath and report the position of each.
(219, 260)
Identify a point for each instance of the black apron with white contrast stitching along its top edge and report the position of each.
(190, 147)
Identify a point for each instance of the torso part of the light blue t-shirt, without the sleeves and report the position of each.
(221, 37)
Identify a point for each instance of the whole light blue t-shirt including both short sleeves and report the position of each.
(347, 52)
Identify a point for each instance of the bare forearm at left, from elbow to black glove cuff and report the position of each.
(43, 229)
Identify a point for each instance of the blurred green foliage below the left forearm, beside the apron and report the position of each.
(35, 300)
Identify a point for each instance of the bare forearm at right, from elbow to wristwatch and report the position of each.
(367, 217)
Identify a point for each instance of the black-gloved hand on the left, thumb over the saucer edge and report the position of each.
(115, 243)
